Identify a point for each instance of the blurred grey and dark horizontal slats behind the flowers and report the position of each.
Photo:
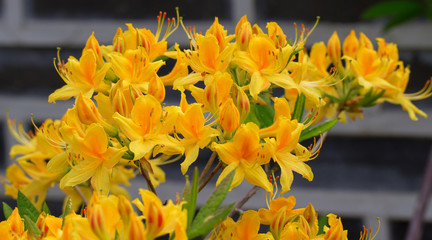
(367, 169)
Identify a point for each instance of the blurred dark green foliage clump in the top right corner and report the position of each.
(398, 12)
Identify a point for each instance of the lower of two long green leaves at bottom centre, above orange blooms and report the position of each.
(204, 227)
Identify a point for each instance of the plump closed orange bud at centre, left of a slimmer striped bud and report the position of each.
(229, 116)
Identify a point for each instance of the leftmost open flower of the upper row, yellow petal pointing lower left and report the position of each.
(83, 76)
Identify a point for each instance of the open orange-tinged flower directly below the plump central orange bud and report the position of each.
(244, 156)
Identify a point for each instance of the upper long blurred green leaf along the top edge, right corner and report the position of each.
(390, 8)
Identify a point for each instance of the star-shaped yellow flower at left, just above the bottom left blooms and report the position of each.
(95, 160)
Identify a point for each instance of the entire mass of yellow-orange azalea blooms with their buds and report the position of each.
(120, 126)
